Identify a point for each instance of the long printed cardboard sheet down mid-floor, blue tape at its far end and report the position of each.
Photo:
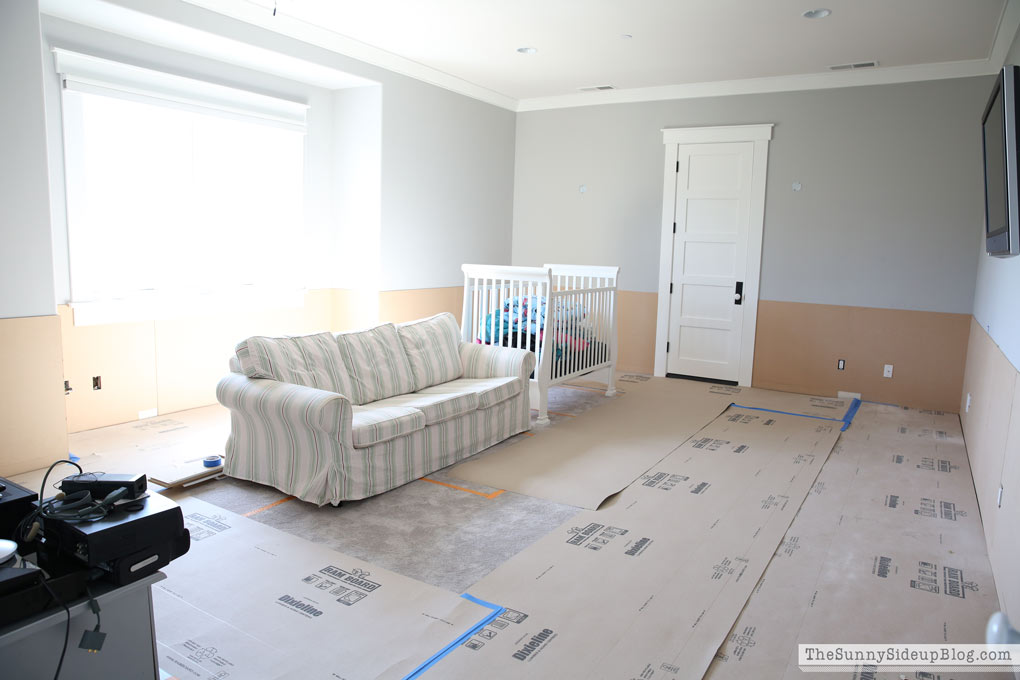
(650, 586)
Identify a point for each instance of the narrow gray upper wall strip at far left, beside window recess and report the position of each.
(26, 258)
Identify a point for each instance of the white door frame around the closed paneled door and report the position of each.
(672, 137)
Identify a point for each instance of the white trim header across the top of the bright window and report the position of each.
(85, 73)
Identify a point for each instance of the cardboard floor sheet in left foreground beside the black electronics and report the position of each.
(251, 602)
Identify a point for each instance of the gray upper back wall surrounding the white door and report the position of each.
(887, 218)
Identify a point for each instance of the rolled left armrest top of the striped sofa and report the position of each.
(326, 411)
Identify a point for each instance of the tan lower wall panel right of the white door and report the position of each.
(798, 345)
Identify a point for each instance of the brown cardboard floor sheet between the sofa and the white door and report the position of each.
(585, 461)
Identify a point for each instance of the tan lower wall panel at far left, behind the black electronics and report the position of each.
(33, 425)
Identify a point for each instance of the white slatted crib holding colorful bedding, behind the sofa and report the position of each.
(566, 313)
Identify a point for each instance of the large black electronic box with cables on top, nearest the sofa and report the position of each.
(132, 542)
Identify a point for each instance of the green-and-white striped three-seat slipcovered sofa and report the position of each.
(339, 417)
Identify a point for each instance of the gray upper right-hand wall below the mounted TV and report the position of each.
(996, 304)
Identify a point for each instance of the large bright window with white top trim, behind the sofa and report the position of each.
(173, 194)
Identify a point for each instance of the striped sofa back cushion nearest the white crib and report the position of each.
(433, 348)
